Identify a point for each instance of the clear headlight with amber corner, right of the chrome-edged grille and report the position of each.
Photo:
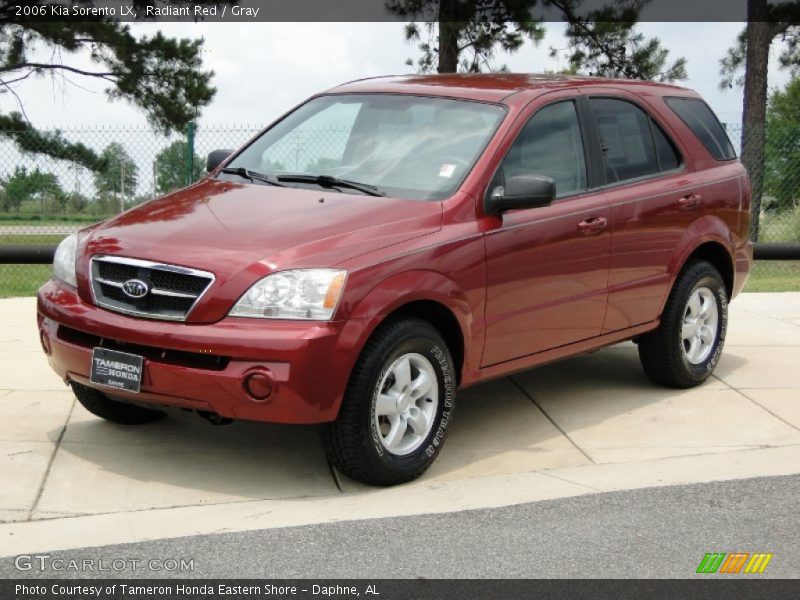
(300, 294)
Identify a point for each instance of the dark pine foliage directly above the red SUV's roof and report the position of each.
(464, 35)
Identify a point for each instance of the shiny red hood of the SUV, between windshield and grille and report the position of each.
(241, 232)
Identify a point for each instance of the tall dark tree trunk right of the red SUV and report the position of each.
(754, 115)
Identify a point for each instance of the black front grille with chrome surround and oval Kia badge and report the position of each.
(171, 291)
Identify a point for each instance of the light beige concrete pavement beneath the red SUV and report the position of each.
(593, 423)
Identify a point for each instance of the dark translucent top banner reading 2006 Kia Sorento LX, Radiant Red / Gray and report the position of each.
(240, 11)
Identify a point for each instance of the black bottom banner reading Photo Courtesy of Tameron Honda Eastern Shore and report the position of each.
(399, 589)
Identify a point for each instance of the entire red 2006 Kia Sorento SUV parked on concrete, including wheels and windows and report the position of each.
(393, 239)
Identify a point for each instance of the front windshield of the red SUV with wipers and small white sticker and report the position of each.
(401, 145)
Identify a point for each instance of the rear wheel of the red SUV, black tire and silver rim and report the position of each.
(684, 350)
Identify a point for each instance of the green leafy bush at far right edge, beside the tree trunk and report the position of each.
(782, 150)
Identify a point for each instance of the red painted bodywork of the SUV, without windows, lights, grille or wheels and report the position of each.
(524, 288)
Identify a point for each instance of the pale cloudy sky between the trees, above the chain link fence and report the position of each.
(263, 69)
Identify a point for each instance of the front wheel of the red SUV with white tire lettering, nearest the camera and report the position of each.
(391, 426)
